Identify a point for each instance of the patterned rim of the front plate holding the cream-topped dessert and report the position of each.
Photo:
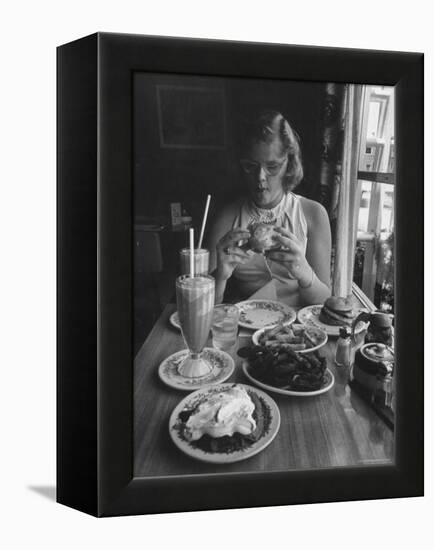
(236, 456)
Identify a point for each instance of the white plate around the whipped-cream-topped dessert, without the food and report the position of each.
(226, 457)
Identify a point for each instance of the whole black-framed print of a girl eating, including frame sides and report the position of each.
(240, 274)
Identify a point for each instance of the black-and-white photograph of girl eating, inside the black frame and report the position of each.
(263, 275)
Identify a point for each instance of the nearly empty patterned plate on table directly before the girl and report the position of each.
(257, 314)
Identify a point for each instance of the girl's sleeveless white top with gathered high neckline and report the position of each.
(258, 271)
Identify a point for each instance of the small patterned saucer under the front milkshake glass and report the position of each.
(222, 363)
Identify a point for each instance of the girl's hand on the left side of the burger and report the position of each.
(229, 253)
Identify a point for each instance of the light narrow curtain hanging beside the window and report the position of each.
(347, 204)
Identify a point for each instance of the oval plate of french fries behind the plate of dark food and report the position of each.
(296, 337)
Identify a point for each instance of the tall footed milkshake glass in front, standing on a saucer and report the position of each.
(195, 301)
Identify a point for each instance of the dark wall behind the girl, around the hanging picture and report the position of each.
(187, 175)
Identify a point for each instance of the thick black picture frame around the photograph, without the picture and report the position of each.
(94, 197)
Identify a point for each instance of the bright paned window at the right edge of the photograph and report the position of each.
(374, 255)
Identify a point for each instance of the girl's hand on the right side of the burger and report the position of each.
(292, 256)
